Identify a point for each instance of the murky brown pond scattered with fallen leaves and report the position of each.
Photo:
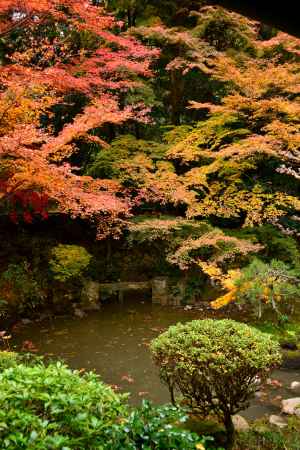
(114, 342)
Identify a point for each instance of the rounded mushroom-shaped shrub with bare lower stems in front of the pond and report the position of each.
(215, 365)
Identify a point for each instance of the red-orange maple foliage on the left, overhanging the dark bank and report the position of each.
(63, 46)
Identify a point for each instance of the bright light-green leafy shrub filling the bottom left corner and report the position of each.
(53, 407)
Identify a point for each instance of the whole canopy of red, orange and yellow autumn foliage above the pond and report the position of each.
(193, 129)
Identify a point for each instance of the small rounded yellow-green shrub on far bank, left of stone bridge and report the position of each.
(68, 261)
